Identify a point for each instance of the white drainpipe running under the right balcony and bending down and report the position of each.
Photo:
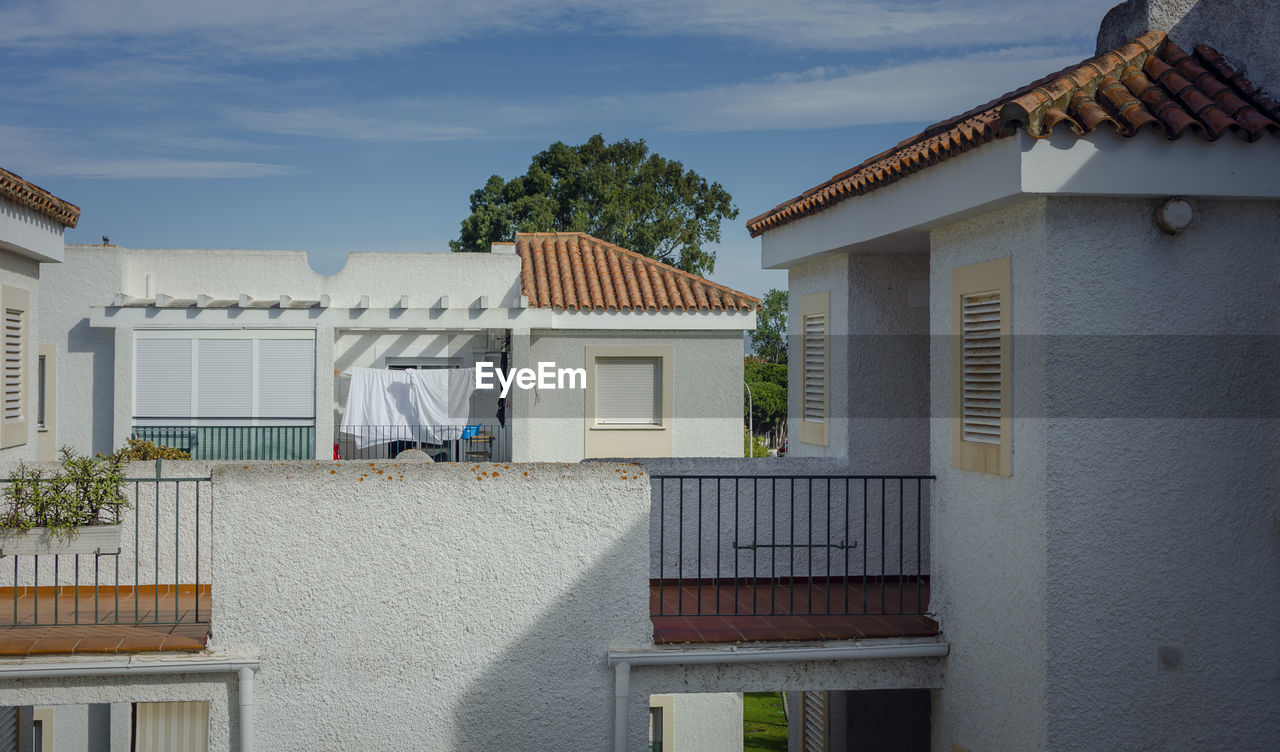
(623, 661)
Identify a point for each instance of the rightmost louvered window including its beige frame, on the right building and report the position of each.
(981, 435)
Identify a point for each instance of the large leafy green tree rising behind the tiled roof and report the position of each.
(619, 192)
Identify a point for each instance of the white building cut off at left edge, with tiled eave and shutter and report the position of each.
(33, 222)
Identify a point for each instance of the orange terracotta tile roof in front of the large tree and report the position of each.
(575, 272)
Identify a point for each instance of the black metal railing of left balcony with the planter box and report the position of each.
(159, 574)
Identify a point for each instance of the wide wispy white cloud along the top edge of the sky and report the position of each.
(339, 29)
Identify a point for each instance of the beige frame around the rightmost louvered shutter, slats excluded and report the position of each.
(988, 277)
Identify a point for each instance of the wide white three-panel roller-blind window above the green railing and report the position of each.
(225, 377)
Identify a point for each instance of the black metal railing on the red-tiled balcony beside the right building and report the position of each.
(803, 545)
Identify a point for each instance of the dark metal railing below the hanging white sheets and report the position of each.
(464, 443)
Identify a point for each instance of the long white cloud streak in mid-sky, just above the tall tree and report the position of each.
(821, 98)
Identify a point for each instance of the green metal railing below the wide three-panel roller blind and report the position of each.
(235, 442)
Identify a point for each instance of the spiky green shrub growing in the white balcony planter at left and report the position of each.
(84, 492)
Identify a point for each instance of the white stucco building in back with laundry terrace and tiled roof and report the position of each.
(248, 355)
